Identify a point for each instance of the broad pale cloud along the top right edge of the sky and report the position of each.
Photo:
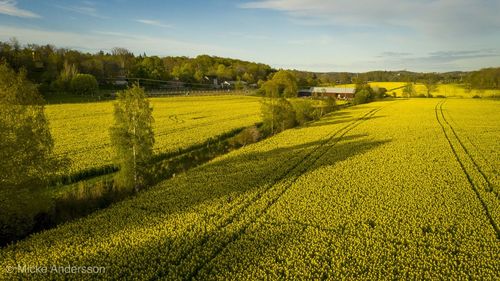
(437, 17)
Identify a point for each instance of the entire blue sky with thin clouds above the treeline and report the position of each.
(315, 35)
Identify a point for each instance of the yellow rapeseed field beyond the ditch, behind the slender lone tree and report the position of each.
(81, 131)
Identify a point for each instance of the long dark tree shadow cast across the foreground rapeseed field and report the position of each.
(182, 218)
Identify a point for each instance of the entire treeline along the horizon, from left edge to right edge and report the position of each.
(52, 69)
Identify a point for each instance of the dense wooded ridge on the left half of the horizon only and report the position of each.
(48, 66)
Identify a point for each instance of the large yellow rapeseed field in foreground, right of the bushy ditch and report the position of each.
(347, 197)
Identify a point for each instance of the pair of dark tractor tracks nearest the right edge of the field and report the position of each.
(439, 109)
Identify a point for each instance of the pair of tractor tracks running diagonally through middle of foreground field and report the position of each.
(335, 137)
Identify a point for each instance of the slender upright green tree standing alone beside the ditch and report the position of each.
(132, 138)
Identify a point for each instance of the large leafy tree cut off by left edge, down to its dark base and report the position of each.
(26, 160)
